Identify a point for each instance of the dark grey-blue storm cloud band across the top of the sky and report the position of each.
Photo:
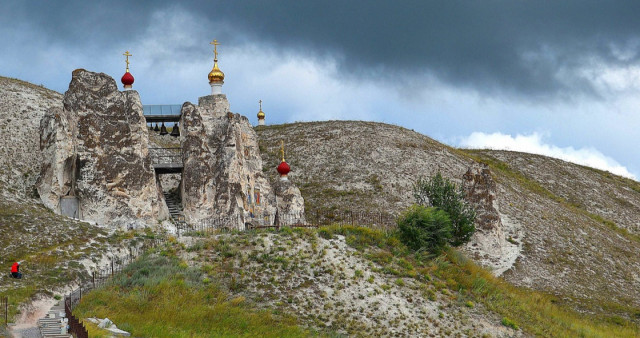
(533, 48)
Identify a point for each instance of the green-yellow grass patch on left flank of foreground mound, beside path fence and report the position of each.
(159, 296)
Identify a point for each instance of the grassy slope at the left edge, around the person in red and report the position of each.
(50, 247)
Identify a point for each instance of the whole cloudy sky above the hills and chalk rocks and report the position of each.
(560, 78)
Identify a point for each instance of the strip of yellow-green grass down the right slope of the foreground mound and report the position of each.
(469, 284)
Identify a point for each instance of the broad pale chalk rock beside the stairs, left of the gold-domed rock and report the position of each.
(96, 150)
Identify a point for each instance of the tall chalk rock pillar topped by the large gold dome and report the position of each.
(222, 179)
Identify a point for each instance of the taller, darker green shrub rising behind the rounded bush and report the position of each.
(441, 193)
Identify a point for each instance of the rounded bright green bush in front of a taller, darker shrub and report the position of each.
(423, 228)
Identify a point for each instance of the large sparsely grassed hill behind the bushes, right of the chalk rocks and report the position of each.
(576, 227)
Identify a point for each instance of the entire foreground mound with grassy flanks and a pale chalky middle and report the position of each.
(335, 280)
